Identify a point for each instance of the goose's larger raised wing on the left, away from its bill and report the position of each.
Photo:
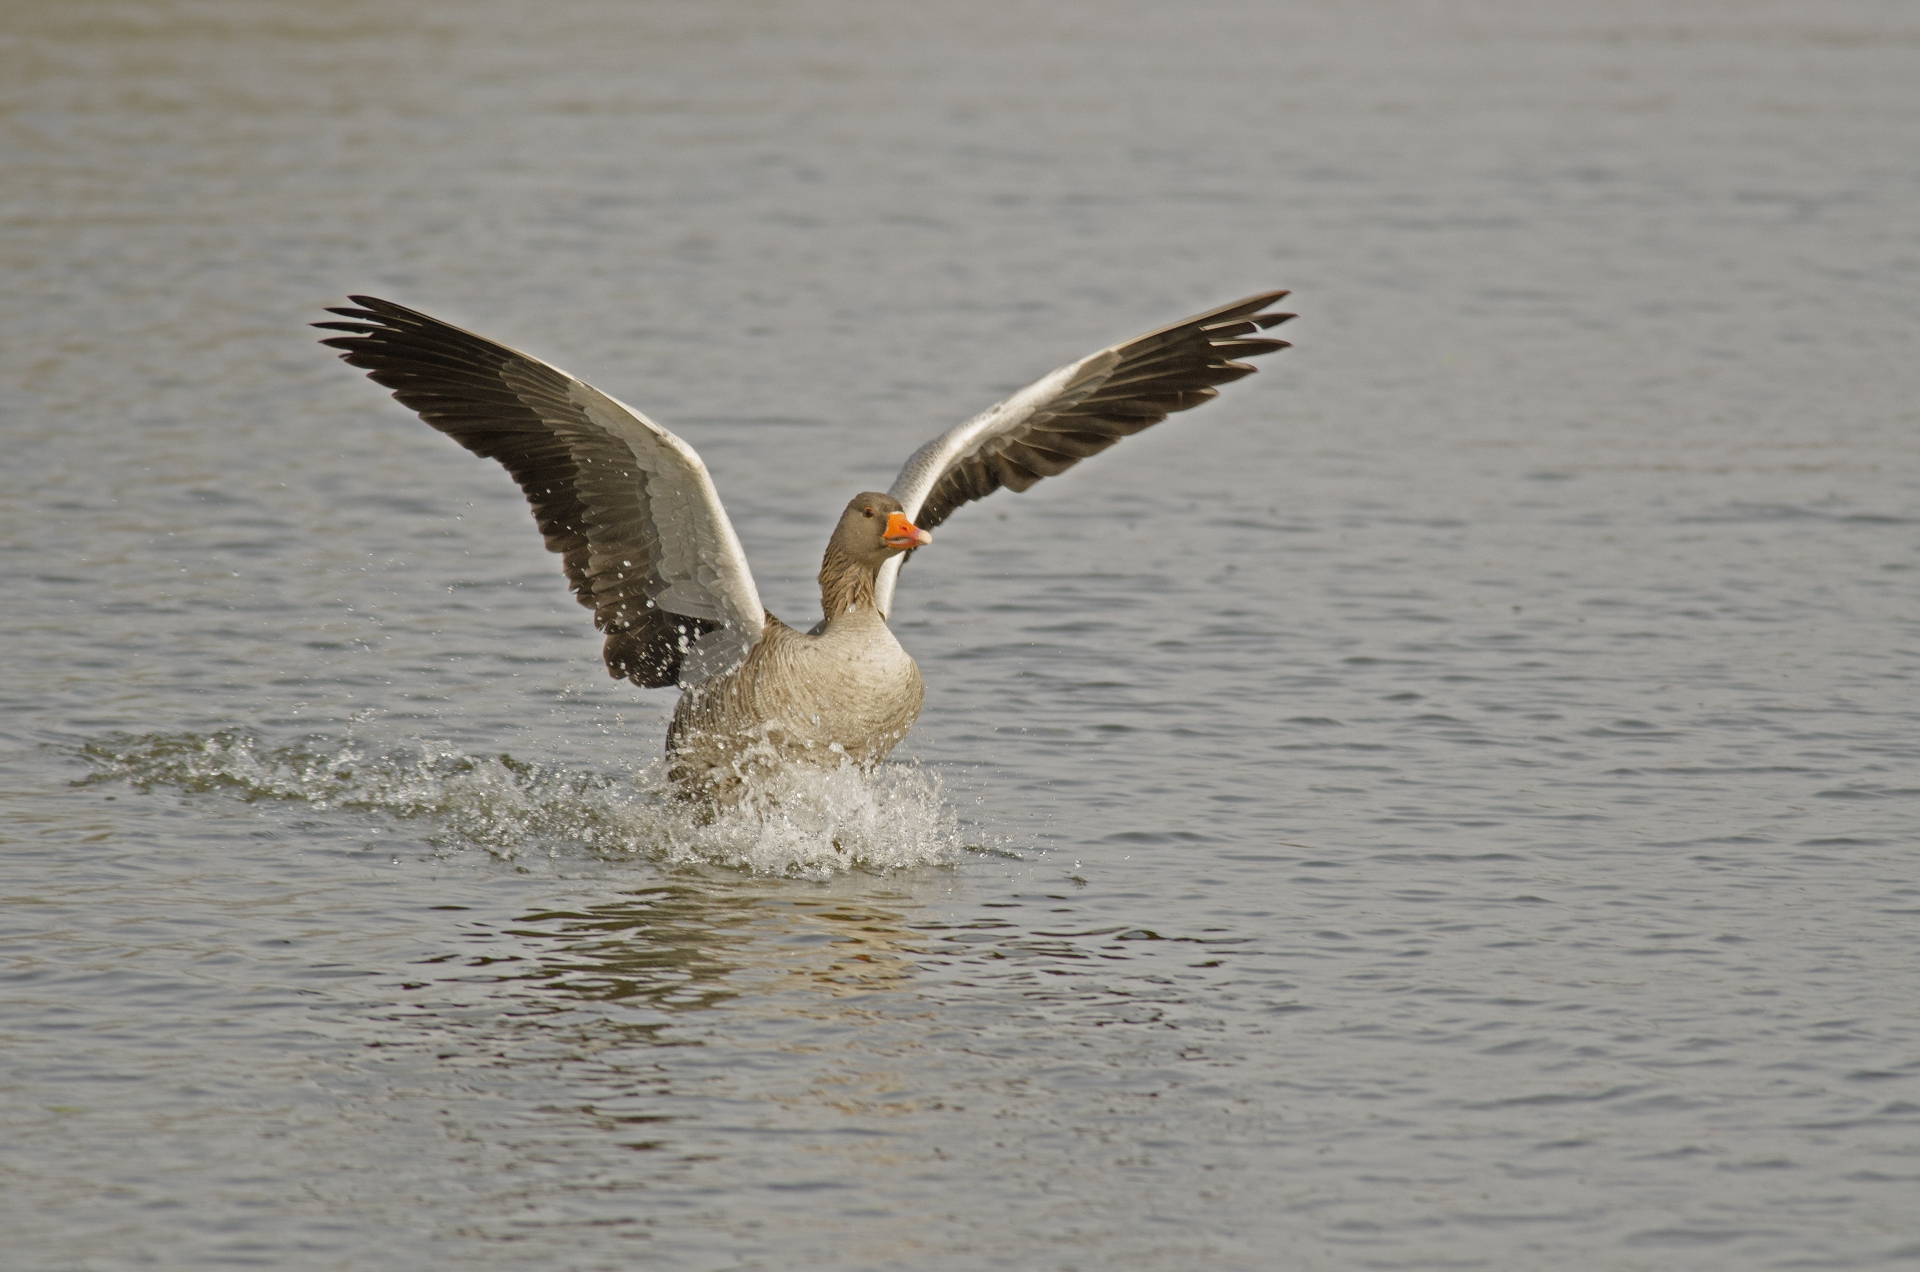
(627, 504)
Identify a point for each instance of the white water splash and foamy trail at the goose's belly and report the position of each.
(802, 821)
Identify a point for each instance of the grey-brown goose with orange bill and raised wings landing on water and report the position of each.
(646, 545)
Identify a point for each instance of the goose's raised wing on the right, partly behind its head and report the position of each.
(1078, 412)
